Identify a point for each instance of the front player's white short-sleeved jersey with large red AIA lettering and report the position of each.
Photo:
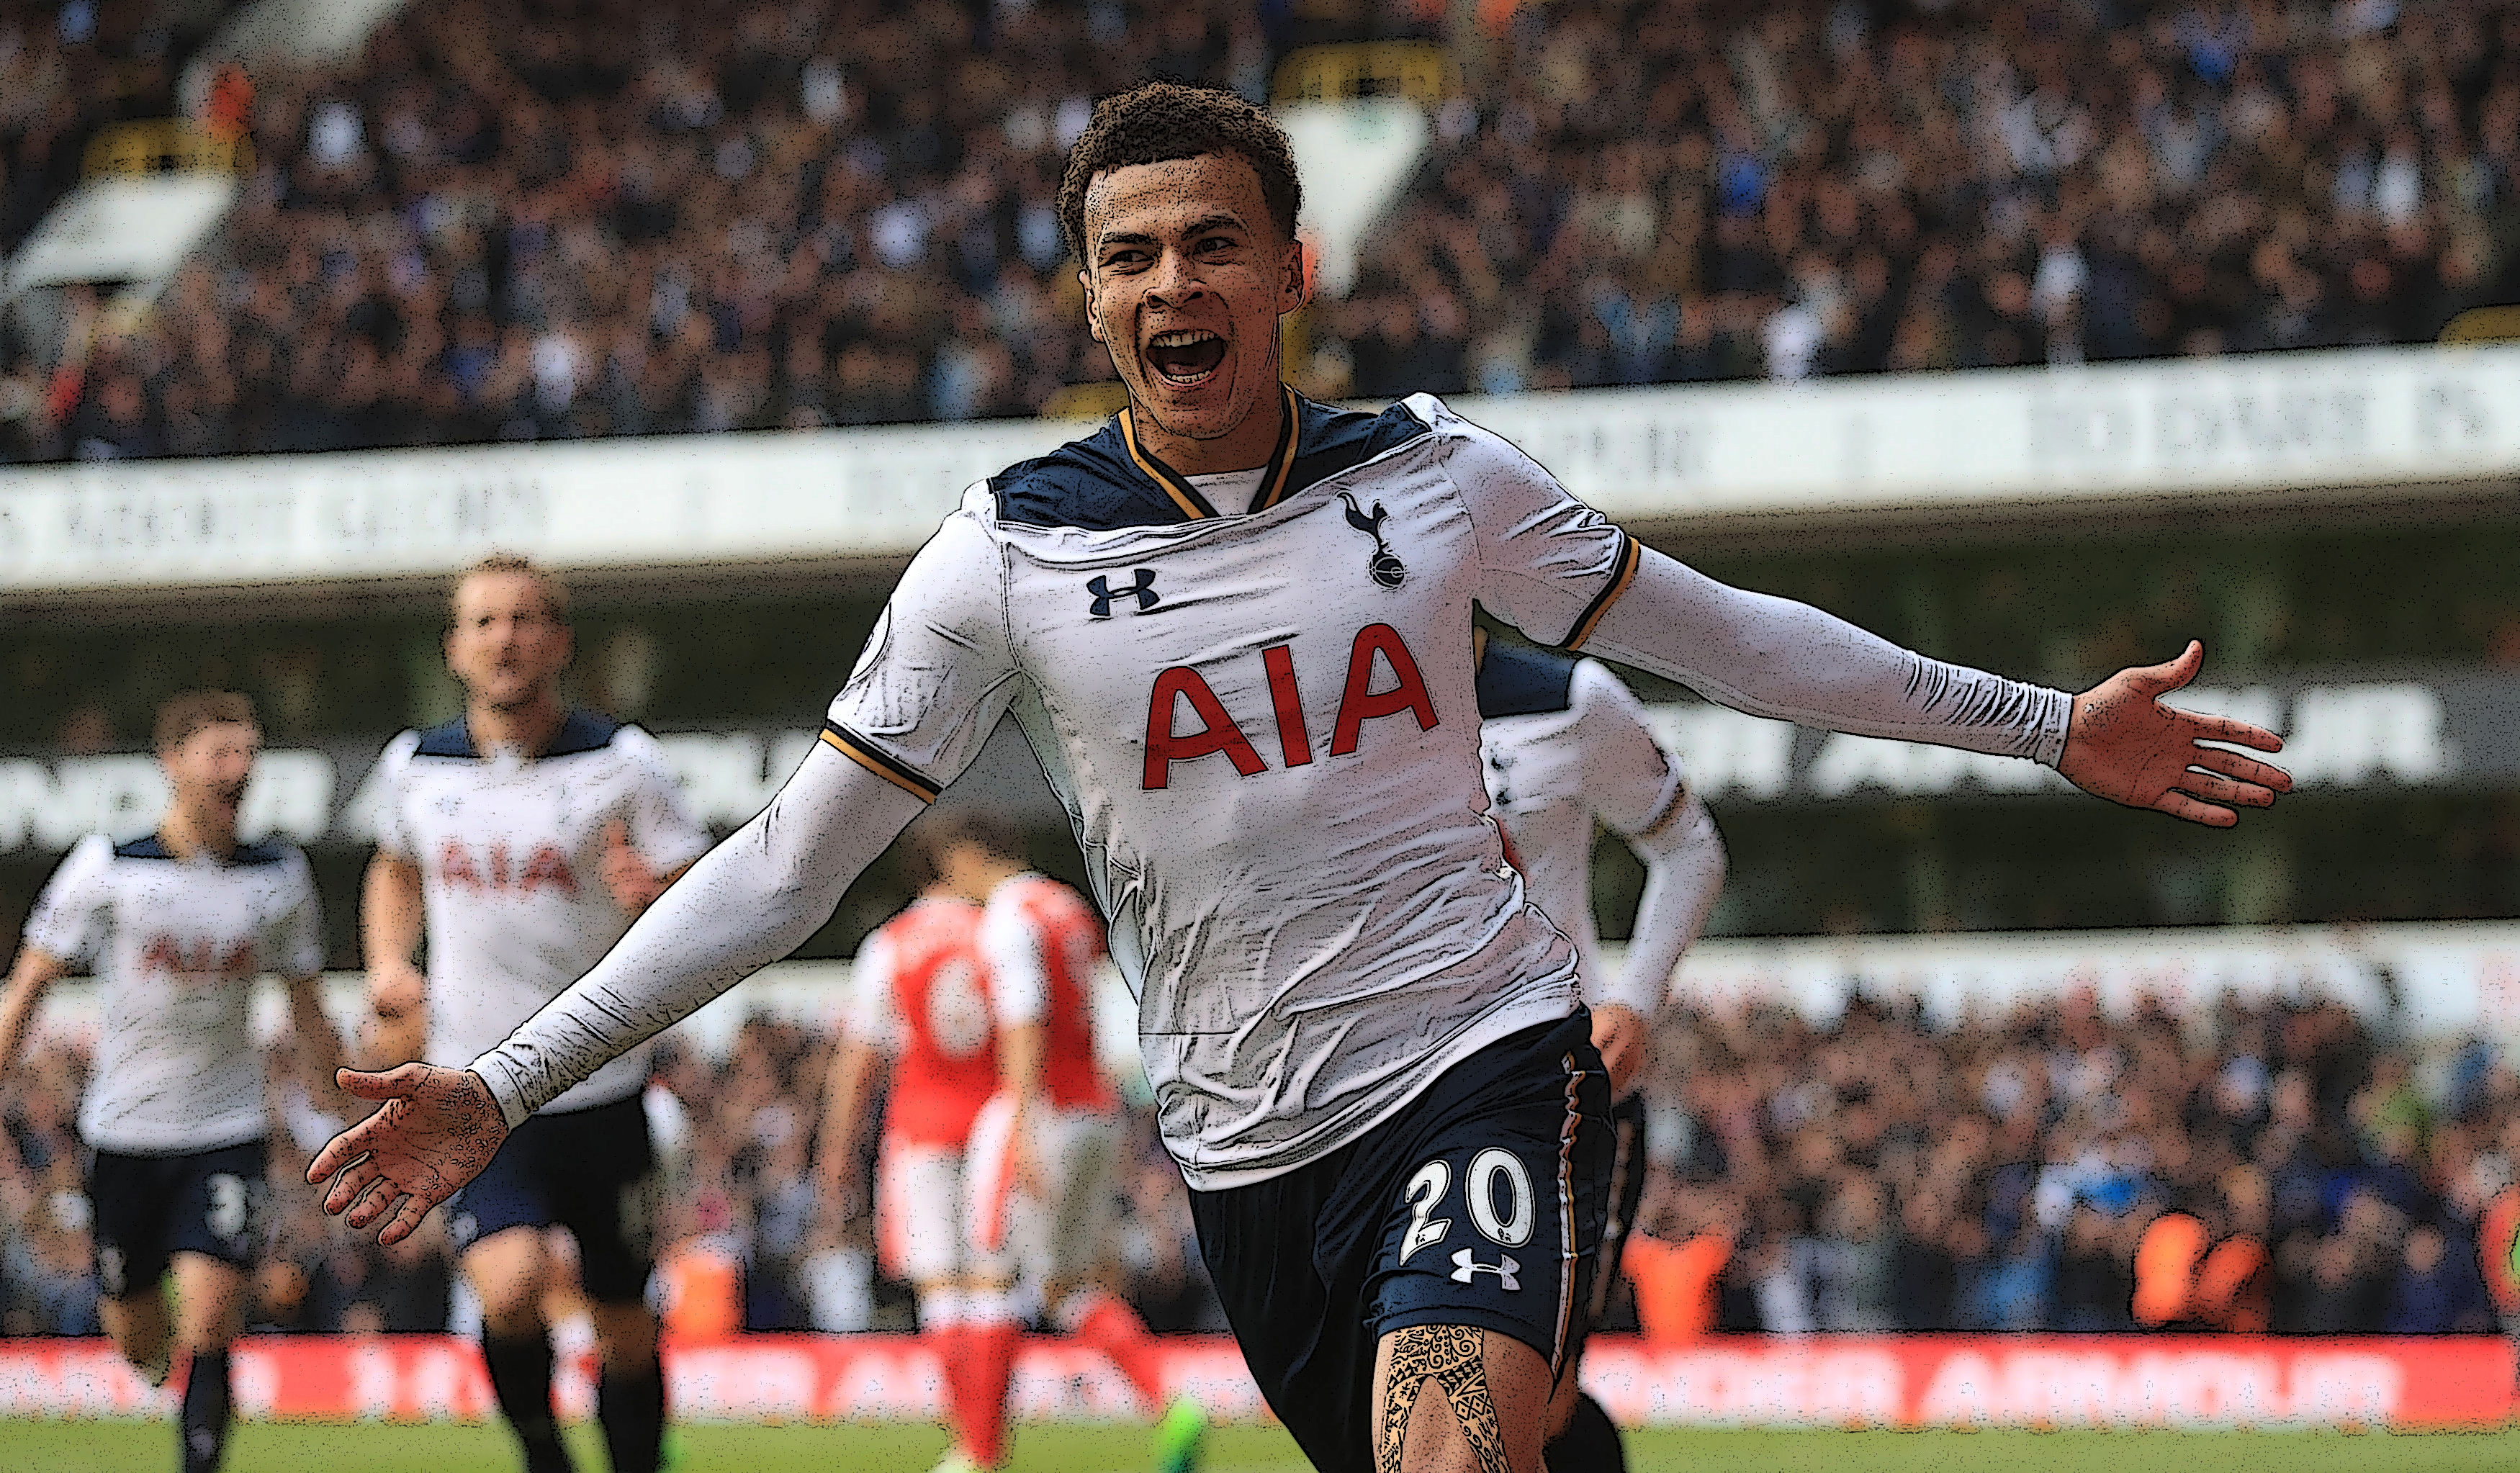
(1266, 731)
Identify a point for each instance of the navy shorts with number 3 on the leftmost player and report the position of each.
(155, 1207)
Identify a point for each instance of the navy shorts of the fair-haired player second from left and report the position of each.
(591, 1172)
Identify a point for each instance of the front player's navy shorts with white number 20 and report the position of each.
(1483, 1205)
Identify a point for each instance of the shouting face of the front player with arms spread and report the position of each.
(1186, 281)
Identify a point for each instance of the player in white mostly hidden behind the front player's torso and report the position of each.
(1566, 749)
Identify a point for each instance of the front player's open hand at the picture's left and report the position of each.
(437, 1132)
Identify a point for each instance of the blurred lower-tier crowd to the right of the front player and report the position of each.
(2060, 1170)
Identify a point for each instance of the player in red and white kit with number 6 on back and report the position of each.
(924, 998)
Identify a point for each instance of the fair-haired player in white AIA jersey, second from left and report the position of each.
(523, 840)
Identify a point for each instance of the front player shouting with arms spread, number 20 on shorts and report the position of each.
(1236, 631)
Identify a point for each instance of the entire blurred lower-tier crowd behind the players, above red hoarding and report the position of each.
(2247, 1170)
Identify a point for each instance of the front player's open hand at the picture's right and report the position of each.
(2131, 749)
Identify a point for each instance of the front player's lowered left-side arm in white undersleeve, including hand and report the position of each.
(742, 908)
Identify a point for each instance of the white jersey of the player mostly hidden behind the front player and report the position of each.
(1566, 747)
